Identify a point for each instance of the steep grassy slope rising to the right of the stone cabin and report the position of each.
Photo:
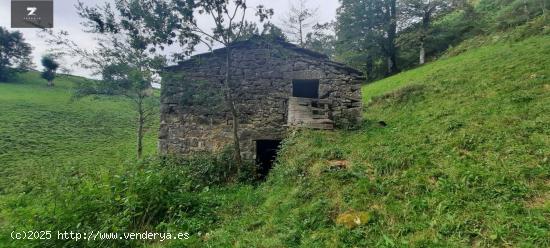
(452, 154)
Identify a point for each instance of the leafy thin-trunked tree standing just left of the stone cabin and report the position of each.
(129, 53)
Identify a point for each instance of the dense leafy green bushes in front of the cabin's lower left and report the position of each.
(155, 195)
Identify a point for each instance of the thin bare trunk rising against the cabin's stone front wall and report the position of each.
(233, 110)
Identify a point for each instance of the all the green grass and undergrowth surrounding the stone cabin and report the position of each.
(463, 161)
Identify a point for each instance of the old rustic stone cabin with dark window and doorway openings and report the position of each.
(276, 85)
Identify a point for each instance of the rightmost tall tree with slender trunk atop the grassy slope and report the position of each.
(423, 12)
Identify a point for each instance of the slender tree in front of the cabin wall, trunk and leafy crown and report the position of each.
(174, 23)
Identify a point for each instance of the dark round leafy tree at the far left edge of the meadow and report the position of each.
(14, 53)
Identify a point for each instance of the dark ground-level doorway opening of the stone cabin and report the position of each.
(266, 153)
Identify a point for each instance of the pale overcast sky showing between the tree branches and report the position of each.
(66, 18)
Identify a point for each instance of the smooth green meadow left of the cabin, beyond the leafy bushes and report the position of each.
(49, 144)
